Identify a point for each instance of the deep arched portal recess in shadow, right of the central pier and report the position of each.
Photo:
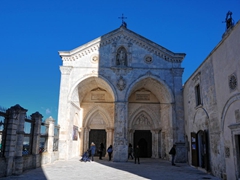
(150, 109)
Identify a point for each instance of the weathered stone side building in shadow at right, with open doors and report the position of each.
(212, 109)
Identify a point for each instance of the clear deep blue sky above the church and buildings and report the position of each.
(33, 31)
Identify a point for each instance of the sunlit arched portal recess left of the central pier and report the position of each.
(96, 100)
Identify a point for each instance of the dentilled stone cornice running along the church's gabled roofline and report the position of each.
(113, 37)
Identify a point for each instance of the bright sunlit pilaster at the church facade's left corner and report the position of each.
(62, 112)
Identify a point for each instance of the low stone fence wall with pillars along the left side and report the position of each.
(13, 161)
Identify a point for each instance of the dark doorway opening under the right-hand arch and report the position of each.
(143, 138)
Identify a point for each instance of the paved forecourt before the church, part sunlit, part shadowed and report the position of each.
(155, 169)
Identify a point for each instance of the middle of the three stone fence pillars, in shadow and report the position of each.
(37, 119)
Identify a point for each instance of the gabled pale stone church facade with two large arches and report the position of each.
(118, 89)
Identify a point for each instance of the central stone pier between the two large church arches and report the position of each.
(120, 146)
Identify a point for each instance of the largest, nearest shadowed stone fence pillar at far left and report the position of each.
(14, 142)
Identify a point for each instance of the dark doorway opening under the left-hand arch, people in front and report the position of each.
(97, 136)
